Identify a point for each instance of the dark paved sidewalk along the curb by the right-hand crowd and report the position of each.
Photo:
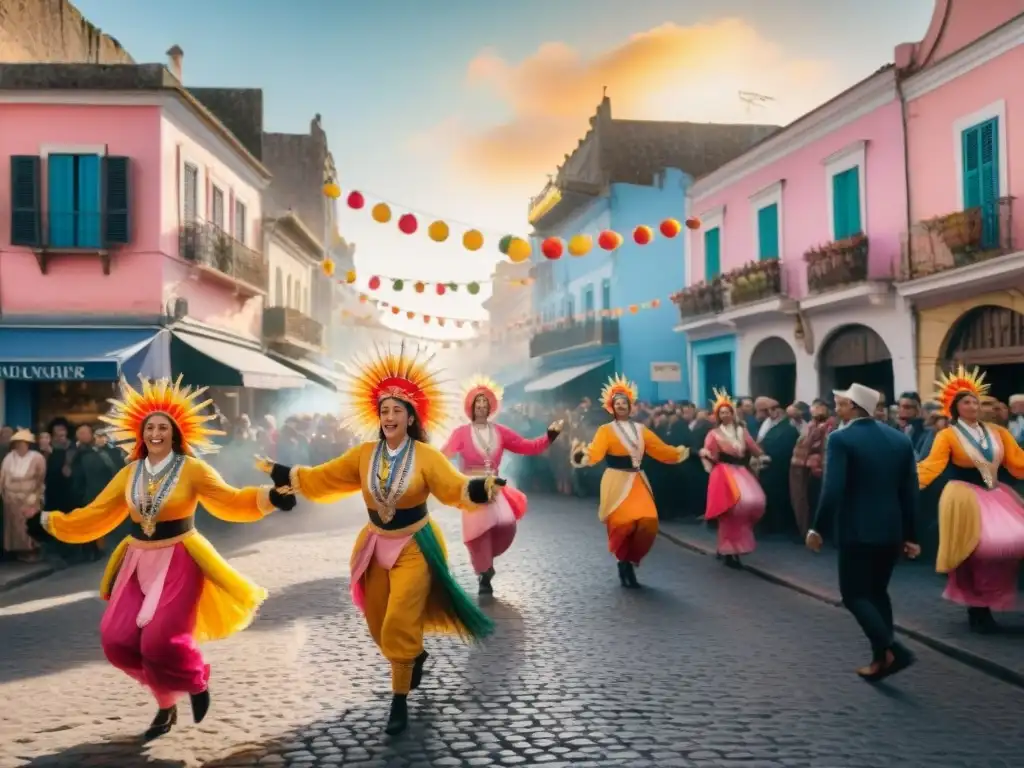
(917, 589)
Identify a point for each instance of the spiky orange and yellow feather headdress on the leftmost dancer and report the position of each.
(181, 405)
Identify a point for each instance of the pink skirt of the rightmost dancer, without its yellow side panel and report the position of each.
(989, 578)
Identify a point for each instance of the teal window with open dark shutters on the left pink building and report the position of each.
(88, 201)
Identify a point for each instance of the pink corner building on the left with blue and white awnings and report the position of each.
(134, 242)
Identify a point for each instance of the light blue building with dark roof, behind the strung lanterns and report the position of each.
(623, 174)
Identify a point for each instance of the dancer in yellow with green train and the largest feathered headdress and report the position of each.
(400, 574)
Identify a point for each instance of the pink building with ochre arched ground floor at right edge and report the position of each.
(964, 268)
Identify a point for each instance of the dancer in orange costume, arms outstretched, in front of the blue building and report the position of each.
(627, 505)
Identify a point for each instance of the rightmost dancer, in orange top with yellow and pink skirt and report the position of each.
(982, 520)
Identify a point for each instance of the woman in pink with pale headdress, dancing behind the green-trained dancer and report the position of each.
(490, 532)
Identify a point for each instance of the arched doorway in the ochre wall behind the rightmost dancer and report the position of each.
(992, 338)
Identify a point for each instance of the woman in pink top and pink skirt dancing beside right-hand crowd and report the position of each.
(735, 496)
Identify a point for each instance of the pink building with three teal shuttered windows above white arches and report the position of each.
(791, 272)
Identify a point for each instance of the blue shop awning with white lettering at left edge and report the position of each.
(70, 354)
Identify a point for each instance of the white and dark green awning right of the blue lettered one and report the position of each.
(208, 361)
